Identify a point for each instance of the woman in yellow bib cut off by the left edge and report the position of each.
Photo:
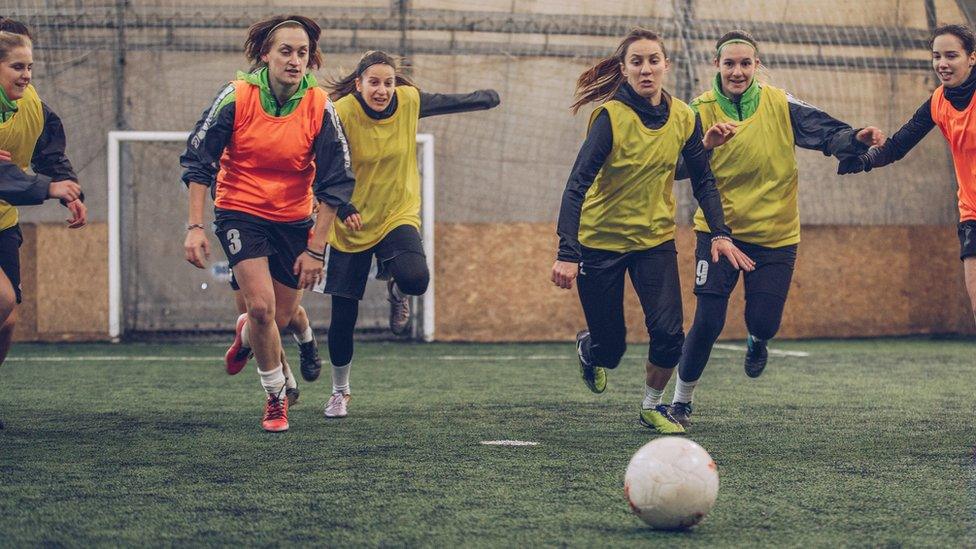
(31, 135)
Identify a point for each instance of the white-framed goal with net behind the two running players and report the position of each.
(151, 292)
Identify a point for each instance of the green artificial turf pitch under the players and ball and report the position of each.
(866, 443)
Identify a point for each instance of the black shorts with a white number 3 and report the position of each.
(245, 236)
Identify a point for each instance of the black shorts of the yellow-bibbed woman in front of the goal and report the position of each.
(347, 273)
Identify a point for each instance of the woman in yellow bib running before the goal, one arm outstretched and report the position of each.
(379, 108)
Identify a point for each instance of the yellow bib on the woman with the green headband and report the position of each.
(756, 172)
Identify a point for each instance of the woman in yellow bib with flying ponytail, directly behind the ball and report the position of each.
(617, 215)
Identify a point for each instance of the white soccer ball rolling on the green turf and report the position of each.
(671, 482)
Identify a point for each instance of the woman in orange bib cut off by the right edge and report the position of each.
(950, 108)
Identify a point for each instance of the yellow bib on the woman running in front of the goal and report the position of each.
(384, 161)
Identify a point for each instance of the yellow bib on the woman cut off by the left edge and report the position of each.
(19, 136)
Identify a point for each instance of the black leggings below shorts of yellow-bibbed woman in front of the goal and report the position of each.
(409, 271)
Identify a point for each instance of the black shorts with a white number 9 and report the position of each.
(773, 274)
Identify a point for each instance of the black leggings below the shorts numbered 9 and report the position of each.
(764, 312)
